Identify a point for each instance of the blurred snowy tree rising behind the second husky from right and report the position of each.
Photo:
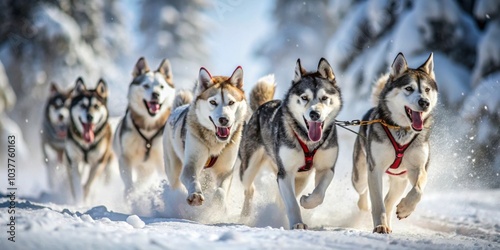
(301, 31)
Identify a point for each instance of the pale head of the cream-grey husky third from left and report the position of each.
(151, 93)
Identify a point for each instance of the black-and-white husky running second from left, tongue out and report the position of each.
(88, 146)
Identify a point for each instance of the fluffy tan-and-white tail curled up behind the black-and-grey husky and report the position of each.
(262, 92)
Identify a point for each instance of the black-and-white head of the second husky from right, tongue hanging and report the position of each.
(314, 100)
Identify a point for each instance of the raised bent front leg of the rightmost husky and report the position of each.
(418, 179)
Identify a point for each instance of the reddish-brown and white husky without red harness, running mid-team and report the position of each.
(206, 134)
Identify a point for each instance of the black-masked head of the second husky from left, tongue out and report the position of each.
(88, 109)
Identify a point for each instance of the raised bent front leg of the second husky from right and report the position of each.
(323, 180)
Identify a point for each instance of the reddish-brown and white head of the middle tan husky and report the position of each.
(220, 103)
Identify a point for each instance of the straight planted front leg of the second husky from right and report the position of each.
(287, 191)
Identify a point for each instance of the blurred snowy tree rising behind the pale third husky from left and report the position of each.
(175, 30)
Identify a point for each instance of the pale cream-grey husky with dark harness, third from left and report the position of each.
(137, 142)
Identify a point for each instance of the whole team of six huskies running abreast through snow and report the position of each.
(214, 127)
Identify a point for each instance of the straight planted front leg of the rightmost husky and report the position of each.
(379, 215)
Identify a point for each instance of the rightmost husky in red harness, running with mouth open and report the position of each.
(397, 146)
